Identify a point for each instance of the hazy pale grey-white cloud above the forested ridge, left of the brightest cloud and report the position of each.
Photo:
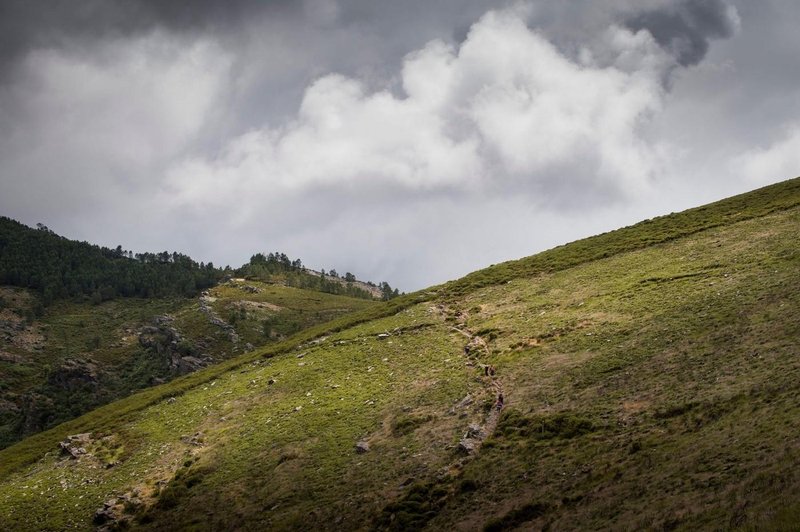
(93, 125)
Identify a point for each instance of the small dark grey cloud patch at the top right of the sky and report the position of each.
(685, 28)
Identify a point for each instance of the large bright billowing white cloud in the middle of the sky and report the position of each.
(506, 105)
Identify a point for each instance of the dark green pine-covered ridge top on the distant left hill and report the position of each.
(60, 268)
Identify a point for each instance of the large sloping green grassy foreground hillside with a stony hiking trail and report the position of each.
(644, 378)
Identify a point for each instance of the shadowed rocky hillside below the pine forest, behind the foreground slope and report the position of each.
(64, 360)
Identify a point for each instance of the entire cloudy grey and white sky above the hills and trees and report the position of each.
(410, 142)
